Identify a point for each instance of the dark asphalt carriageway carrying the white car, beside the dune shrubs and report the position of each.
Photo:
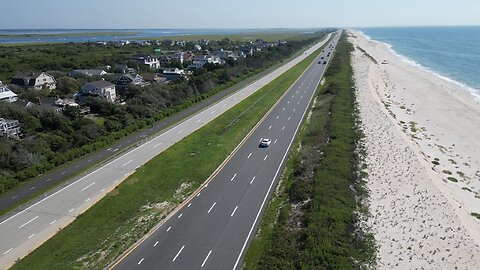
(213, 228)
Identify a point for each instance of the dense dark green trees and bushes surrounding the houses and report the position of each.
(51, 139)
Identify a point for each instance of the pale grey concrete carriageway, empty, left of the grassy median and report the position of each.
(24, 231)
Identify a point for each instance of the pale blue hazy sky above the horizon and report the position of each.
(160, 14)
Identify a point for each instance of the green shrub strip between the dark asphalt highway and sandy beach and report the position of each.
(318, 225)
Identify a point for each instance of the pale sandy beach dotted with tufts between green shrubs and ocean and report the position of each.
(423, 155)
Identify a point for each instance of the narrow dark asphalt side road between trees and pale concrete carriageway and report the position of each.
(43, 182)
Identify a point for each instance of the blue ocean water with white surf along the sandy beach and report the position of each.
(452, 53)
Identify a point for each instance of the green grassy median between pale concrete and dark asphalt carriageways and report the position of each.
(127, 213)
